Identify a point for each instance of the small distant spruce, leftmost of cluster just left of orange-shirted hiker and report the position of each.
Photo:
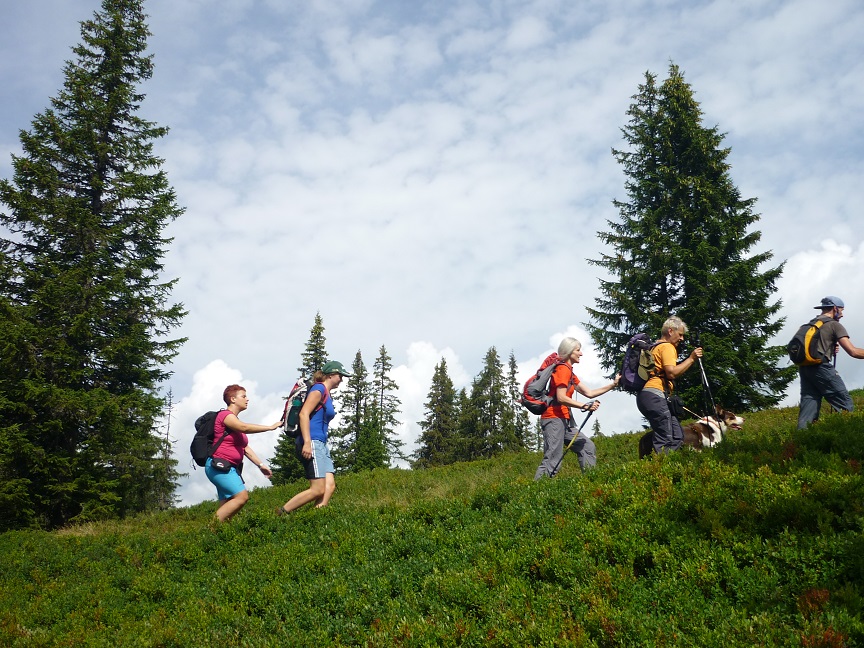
(436, 442)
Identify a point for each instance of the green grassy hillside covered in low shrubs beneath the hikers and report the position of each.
(756, 543)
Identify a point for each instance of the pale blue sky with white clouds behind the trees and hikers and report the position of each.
(419, 172)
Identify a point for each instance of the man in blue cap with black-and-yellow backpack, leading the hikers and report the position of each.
(821, 380)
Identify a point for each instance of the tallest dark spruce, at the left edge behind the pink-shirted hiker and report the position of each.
(85, 304)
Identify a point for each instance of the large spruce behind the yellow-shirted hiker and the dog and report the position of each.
(681, 247)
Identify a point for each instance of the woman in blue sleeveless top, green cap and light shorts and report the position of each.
(312, 450)
